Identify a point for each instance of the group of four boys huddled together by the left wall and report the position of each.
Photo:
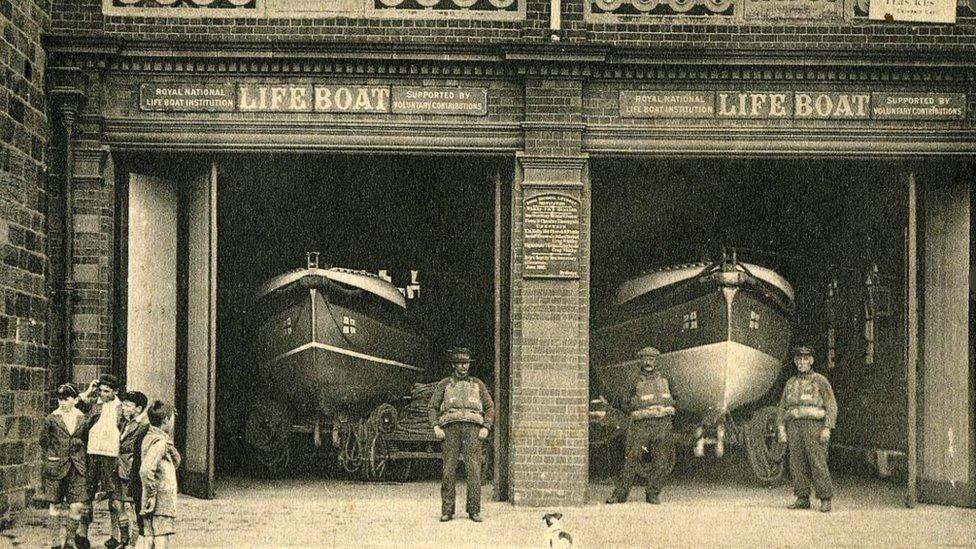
(97, 442)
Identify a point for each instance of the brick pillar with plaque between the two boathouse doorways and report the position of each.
(548, 450)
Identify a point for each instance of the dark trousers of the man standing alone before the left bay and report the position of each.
(461, 436)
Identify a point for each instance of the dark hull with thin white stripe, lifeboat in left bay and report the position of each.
(330, 353)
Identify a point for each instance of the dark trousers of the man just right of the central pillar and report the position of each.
(651, 437)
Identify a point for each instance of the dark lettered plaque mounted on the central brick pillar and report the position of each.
(551, 236)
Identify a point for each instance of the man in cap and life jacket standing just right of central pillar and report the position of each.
(651, 408)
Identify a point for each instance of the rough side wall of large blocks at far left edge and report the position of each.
(23, 238)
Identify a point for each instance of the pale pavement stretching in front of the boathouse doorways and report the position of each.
(694, 513)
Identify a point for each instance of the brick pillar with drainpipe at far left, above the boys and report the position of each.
(84, 271)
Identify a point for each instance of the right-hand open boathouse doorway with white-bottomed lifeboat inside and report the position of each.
(863, 259)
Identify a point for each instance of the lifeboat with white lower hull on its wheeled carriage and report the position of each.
(724, 331)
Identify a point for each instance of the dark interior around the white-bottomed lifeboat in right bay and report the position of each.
(815, 222)
